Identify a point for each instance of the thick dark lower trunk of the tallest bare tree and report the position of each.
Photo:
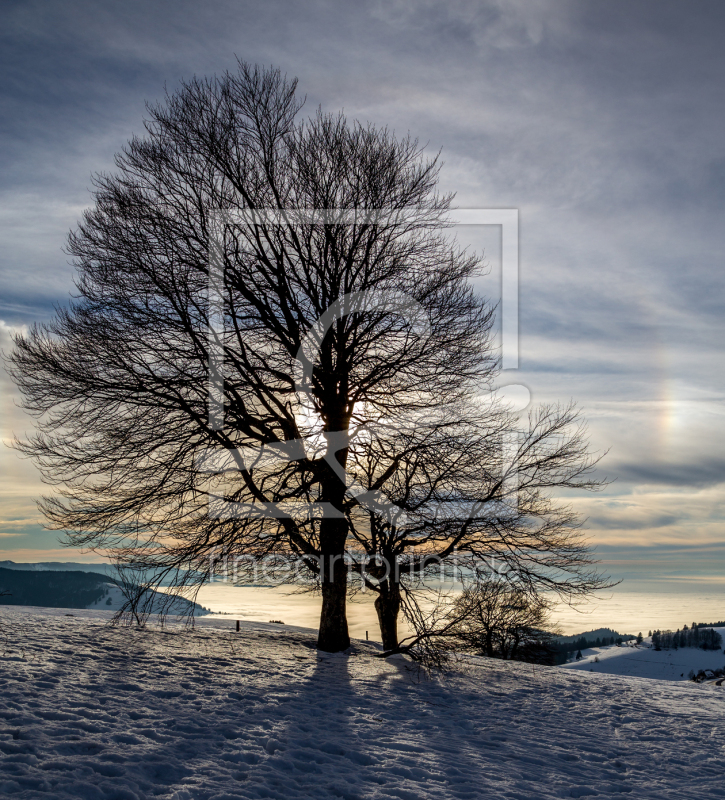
(333, 636)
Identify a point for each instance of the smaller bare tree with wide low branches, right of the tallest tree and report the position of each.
(470, 491)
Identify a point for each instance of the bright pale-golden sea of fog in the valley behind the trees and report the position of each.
(627, 609)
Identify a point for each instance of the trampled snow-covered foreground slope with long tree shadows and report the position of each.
(91, 711)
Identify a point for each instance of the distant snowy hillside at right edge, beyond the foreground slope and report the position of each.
(644, 662)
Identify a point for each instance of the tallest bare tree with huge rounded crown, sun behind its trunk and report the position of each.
(309, 328)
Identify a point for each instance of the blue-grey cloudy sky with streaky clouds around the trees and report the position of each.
(602, 123)
